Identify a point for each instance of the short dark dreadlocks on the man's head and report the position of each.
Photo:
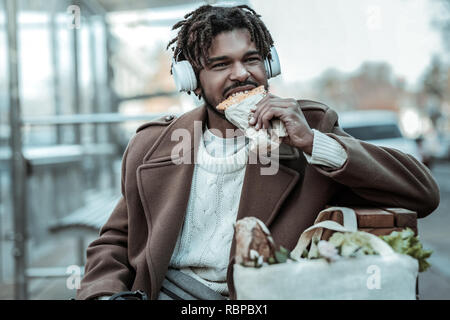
(200, 26)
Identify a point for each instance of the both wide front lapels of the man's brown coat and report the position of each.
(165, 178)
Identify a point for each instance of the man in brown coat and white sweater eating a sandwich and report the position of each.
(179, 216)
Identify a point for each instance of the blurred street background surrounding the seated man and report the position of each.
(78, 77)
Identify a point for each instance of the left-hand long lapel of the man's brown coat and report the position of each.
(164, 181)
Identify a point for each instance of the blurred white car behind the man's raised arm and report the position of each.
(378, 127)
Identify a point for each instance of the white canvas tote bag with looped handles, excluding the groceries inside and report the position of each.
(388, 275)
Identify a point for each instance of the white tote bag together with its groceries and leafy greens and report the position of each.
(351, 265)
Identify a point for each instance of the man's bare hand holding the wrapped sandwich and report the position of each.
(288, 111)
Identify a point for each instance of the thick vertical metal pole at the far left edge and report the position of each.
(18, 172)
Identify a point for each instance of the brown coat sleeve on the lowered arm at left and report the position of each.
(107, 270)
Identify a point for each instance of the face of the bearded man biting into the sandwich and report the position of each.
(234, 65)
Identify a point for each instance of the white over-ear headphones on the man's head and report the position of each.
(185, 78)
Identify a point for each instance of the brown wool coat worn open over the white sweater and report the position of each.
(136, 244)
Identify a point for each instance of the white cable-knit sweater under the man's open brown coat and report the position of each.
(203, 246)
